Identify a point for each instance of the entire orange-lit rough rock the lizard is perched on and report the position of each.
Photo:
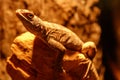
(34, 60)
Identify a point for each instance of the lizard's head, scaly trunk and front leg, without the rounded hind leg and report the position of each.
(54, 35)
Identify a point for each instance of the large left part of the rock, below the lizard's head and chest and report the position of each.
(31, 59)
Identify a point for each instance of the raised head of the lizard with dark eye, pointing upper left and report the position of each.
(29, 20)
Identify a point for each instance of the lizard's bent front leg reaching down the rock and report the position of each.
(57, 45)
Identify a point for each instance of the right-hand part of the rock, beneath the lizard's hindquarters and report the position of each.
(78, 67)
